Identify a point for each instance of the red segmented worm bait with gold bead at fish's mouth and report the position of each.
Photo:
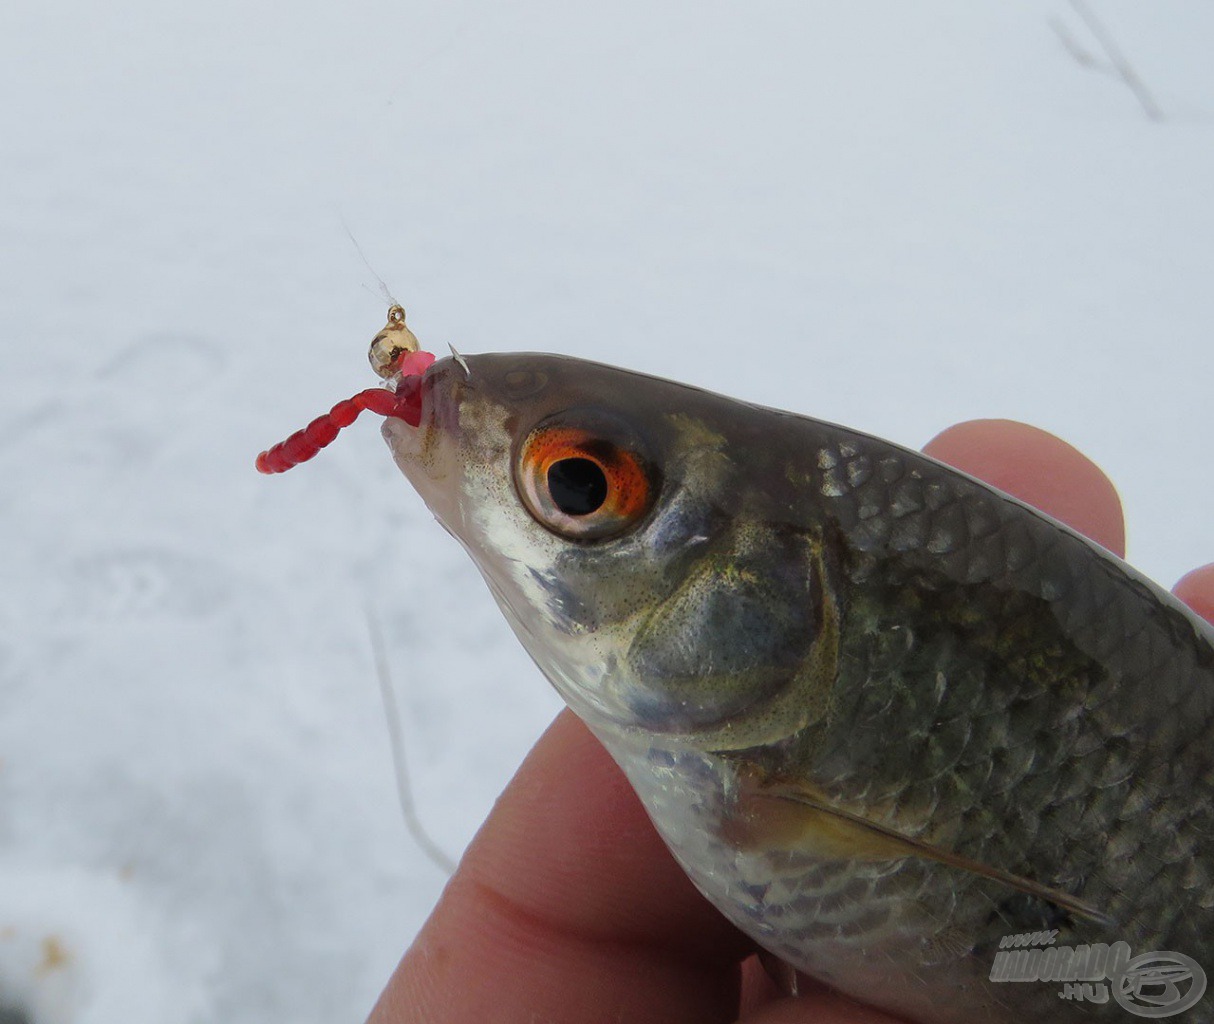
(398, 358)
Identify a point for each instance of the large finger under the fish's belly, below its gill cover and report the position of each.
(568, 908)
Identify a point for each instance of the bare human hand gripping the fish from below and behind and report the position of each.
(569, 908)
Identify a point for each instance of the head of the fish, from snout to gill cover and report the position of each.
(608, 516)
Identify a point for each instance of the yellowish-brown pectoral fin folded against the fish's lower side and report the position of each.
(786, 817)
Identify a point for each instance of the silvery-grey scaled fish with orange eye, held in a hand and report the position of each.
(883, 715)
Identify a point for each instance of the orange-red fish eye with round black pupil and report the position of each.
(583, 483)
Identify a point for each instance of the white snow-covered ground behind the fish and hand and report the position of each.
(890, 216)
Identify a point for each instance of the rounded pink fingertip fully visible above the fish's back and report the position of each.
(1040, 469)
